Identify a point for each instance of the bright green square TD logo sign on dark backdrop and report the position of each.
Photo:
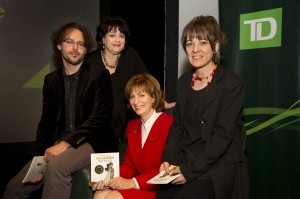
(261, 29)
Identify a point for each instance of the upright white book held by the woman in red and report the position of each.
(104, 166)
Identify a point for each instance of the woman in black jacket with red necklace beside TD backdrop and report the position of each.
(206, 140)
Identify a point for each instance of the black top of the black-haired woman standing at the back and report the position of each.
(129, 65)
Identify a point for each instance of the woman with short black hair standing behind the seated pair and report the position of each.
(121, 60)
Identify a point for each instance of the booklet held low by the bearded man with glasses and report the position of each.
(37, 167)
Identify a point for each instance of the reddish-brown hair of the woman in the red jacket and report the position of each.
(148, 84)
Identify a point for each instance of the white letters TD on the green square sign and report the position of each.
(256, 28)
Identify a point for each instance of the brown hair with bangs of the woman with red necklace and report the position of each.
(205, 27)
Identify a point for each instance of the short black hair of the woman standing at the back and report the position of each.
(110, 23)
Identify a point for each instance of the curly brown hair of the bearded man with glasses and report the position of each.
(59, 35)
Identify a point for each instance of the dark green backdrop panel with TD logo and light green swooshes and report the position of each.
(264, 48)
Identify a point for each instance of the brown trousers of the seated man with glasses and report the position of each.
(58, 176)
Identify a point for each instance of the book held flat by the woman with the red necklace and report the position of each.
(163, 177)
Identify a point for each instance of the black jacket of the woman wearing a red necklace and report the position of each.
(217, 146)
